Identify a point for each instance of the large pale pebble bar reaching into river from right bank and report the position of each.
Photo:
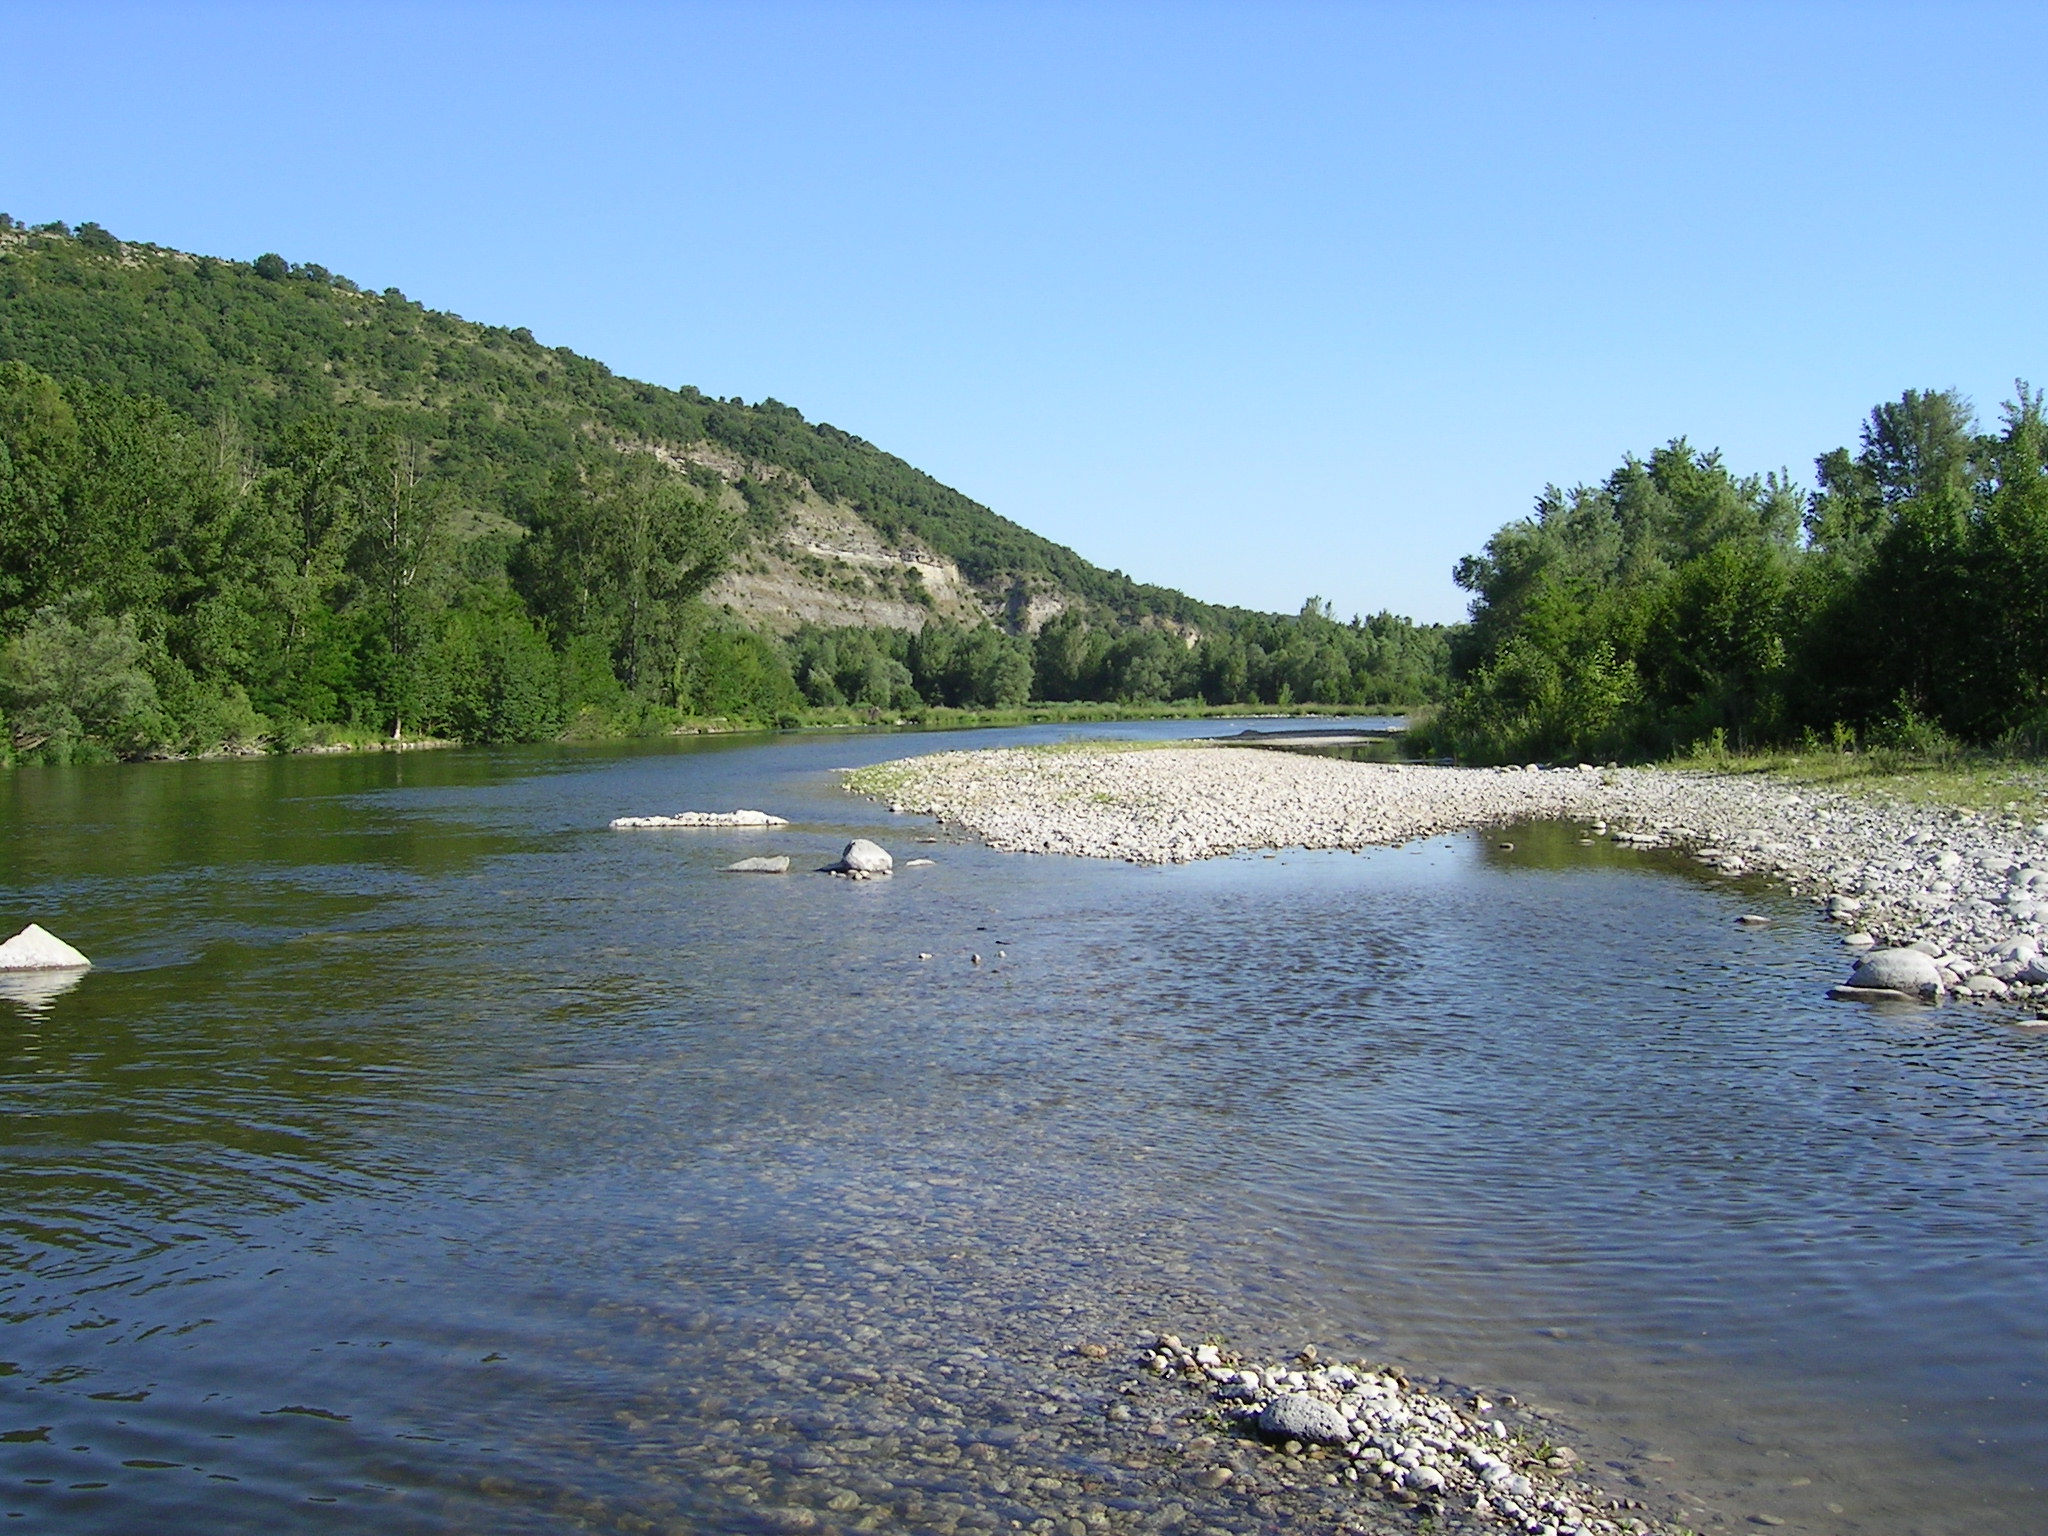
(1967, 890)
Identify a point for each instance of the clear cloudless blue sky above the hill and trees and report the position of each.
(1252, 300)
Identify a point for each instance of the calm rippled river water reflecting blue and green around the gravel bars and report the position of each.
(423, 1156)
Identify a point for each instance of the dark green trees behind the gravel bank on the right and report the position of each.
(1678, 603)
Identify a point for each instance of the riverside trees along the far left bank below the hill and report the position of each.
(171, 587)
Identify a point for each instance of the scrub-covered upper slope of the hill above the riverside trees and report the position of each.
(271, 343)
